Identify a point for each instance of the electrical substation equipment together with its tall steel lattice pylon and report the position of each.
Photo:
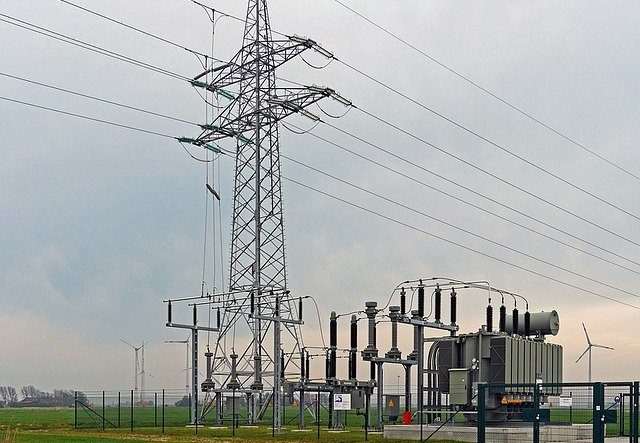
(272, 367)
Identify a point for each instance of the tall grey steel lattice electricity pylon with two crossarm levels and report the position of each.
(258, 297)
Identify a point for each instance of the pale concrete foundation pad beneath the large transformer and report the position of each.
(497, 434)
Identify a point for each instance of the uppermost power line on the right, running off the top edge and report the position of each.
(492, 94)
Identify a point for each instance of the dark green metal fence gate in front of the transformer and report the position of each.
(558, 412)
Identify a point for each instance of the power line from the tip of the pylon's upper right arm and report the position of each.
(492, 143)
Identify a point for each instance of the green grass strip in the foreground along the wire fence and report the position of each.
(57, 425)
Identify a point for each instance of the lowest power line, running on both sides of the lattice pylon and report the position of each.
(346, 202)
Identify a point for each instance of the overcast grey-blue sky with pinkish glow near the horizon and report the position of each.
(99, 224)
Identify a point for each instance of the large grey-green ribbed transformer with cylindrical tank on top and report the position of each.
(458, 363)
